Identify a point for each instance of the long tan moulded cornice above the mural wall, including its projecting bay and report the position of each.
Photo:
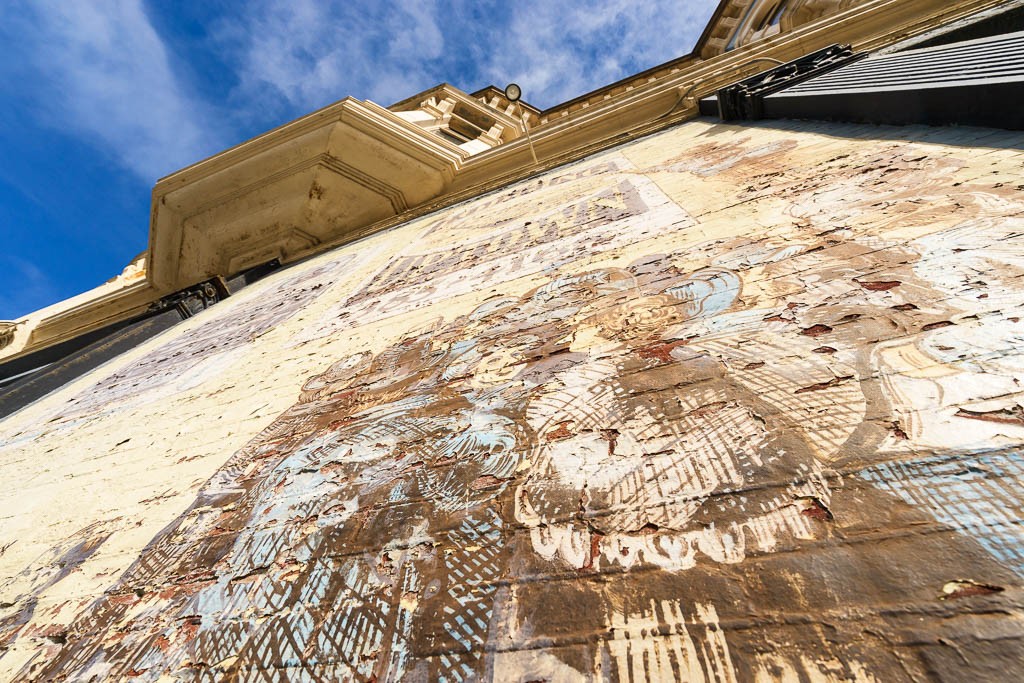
(355, 168)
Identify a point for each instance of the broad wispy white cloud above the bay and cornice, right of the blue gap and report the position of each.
(303, 55)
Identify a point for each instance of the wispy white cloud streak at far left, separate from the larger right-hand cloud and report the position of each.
(100, 71)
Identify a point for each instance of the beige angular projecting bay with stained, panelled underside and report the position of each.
(317, 181)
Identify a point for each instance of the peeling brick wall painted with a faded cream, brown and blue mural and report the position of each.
(729, 404)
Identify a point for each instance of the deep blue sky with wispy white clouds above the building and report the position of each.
(101, 99)
